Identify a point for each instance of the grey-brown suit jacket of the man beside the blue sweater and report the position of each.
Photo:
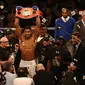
(79, 26)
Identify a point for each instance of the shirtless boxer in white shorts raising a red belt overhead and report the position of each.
(27, 42)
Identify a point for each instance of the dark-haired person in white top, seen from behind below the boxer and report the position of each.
(23, 78)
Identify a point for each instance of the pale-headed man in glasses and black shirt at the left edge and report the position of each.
(4, 54)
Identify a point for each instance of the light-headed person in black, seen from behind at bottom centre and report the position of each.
(43, 77)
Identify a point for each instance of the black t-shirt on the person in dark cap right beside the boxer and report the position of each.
(43, 53)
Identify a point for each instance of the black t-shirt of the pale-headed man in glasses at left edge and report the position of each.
(4, 54)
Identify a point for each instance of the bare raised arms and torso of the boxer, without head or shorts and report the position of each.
(27, 46)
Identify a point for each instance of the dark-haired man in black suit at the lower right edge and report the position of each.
(79, 58)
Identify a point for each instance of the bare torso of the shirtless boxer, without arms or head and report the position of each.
(27, 48)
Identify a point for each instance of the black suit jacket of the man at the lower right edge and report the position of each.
(80, 71)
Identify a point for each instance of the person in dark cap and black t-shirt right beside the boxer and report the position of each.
(44, 53)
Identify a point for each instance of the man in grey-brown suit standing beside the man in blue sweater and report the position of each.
(80, 26)
